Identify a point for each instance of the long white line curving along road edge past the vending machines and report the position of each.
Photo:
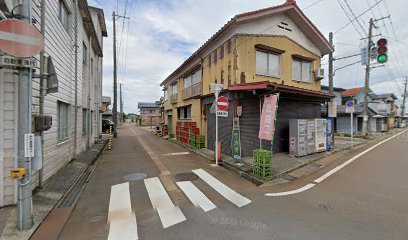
(334, 170)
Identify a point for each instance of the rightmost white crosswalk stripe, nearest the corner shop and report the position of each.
(222, 189)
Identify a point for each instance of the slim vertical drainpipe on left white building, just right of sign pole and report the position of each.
(43, 92)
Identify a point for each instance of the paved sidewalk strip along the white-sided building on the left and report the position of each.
(51, 195)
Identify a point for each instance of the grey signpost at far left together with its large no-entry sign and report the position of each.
(21, 39)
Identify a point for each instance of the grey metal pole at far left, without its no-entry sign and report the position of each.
(24, 204)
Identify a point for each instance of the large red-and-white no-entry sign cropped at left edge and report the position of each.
(20, 39)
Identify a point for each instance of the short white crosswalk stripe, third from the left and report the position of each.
(196, 196)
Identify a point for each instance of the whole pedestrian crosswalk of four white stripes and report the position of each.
(122, 221)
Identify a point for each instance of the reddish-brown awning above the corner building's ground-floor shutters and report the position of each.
(274, 87)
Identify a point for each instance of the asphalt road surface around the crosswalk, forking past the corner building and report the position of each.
(368, 199)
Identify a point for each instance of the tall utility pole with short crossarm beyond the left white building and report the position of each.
(115, 87)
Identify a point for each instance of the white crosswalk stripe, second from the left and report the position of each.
(169, 214)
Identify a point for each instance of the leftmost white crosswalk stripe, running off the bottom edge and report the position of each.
(122, 221)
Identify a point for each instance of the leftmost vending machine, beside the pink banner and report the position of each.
(297, 137)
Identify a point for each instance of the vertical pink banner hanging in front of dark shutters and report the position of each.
(267, 124)
